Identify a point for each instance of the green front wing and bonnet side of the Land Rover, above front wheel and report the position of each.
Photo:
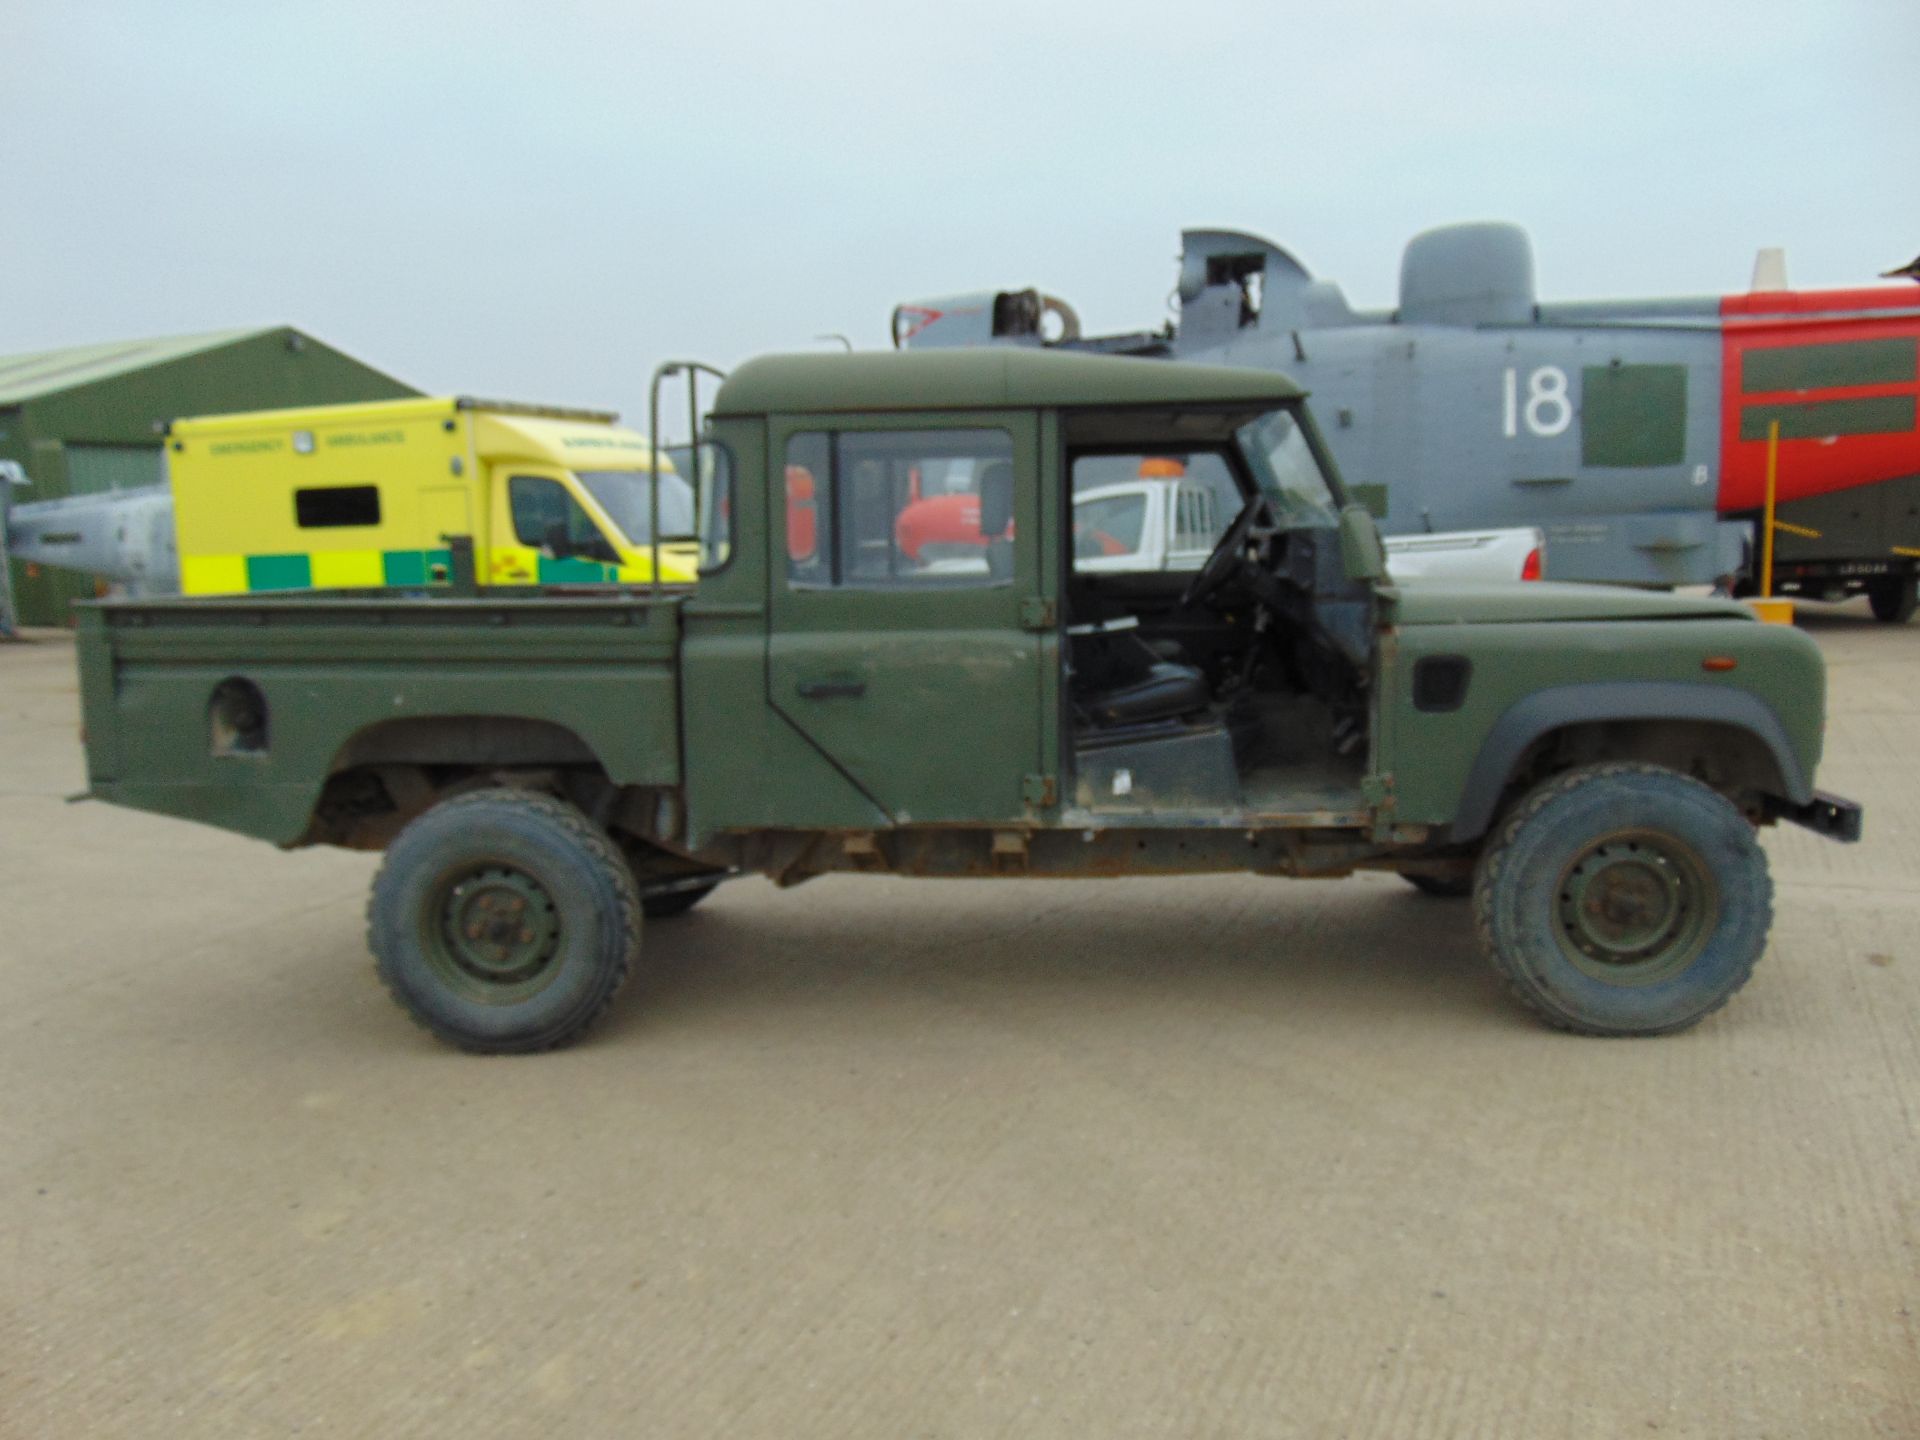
(1525, 681)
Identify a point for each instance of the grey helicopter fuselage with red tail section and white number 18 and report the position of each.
(1633, 433)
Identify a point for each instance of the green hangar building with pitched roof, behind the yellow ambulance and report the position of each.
(87, 420)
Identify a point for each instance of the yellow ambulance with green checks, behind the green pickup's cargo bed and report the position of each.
(383, 494)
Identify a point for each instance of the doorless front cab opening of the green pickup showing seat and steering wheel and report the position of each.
(1237, 690)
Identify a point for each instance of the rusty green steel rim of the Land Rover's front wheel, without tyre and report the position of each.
(1635, 909)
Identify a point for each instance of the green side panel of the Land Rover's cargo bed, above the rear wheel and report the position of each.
(331, 671)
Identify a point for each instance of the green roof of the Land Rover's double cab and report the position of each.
(984, 379)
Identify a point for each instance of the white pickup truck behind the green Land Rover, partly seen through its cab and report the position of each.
(1172, 523)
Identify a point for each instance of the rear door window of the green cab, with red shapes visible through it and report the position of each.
(896, 510)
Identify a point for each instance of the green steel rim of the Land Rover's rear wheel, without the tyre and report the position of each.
(492, 934)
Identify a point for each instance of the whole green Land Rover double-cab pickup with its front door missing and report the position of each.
(546, 771)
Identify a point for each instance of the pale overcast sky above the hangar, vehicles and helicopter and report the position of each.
(542, 201)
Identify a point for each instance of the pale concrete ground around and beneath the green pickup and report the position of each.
(886, 1159)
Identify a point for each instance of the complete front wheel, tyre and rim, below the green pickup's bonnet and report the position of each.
(1623, 900)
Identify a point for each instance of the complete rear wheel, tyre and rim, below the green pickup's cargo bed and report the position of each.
(504, 923)
